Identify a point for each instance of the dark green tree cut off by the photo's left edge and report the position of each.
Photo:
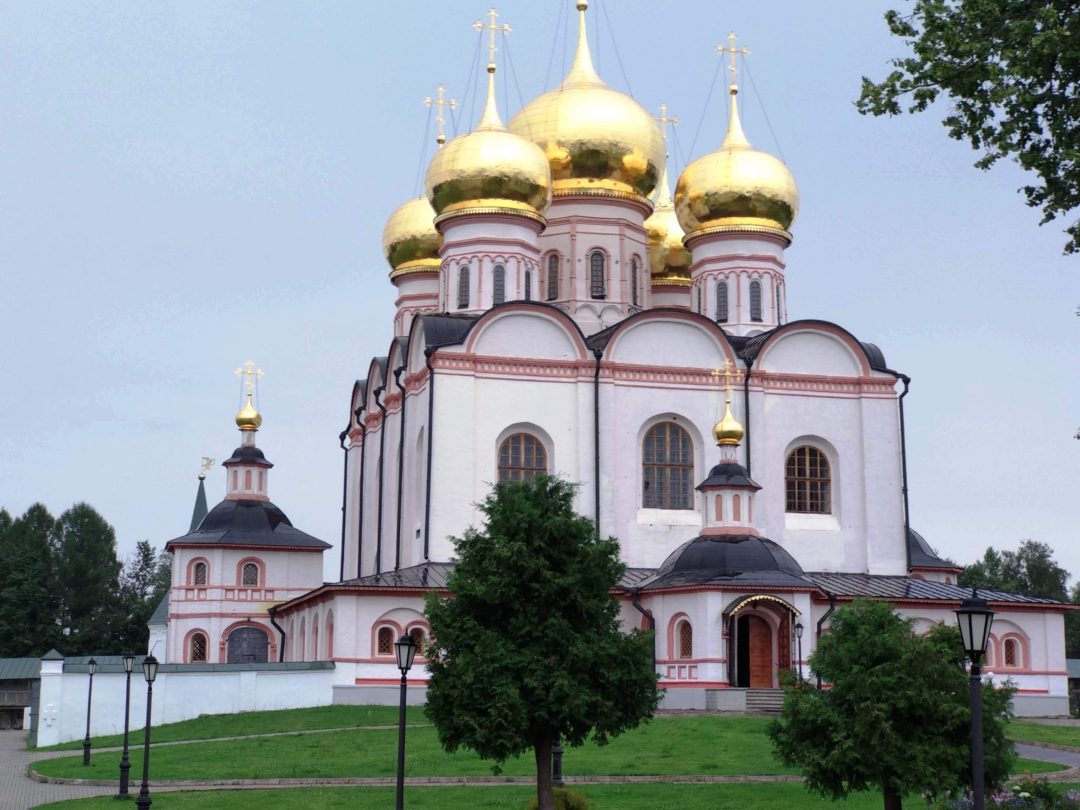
(29, 589)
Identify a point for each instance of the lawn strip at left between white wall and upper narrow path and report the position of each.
(260, 723)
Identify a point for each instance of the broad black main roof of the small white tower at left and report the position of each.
(249, 523)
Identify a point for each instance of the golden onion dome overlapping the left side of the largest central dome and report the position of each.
(490, 170)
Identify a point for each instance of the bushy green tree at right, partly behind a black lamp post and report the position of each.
(896, 715)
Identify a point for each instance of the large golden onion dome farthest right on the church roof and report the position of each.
(737, 188)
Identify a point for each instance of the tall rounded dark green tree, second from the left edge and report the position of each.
(89, 579)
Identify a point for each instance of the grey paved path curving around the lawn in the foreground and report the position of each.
(21, 792)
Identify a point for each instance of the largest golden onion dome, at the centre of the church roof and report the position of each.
(597, 139)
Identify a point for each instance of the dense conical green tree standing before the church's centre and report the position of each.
(529, 650)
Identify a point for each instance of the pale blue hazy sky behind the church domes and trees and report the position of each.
(188, 185)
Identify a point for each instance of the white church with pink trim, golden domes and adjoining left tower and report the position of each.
(561, 312)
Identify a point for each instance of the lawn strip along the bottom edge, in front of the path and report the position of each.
(759, 796)
